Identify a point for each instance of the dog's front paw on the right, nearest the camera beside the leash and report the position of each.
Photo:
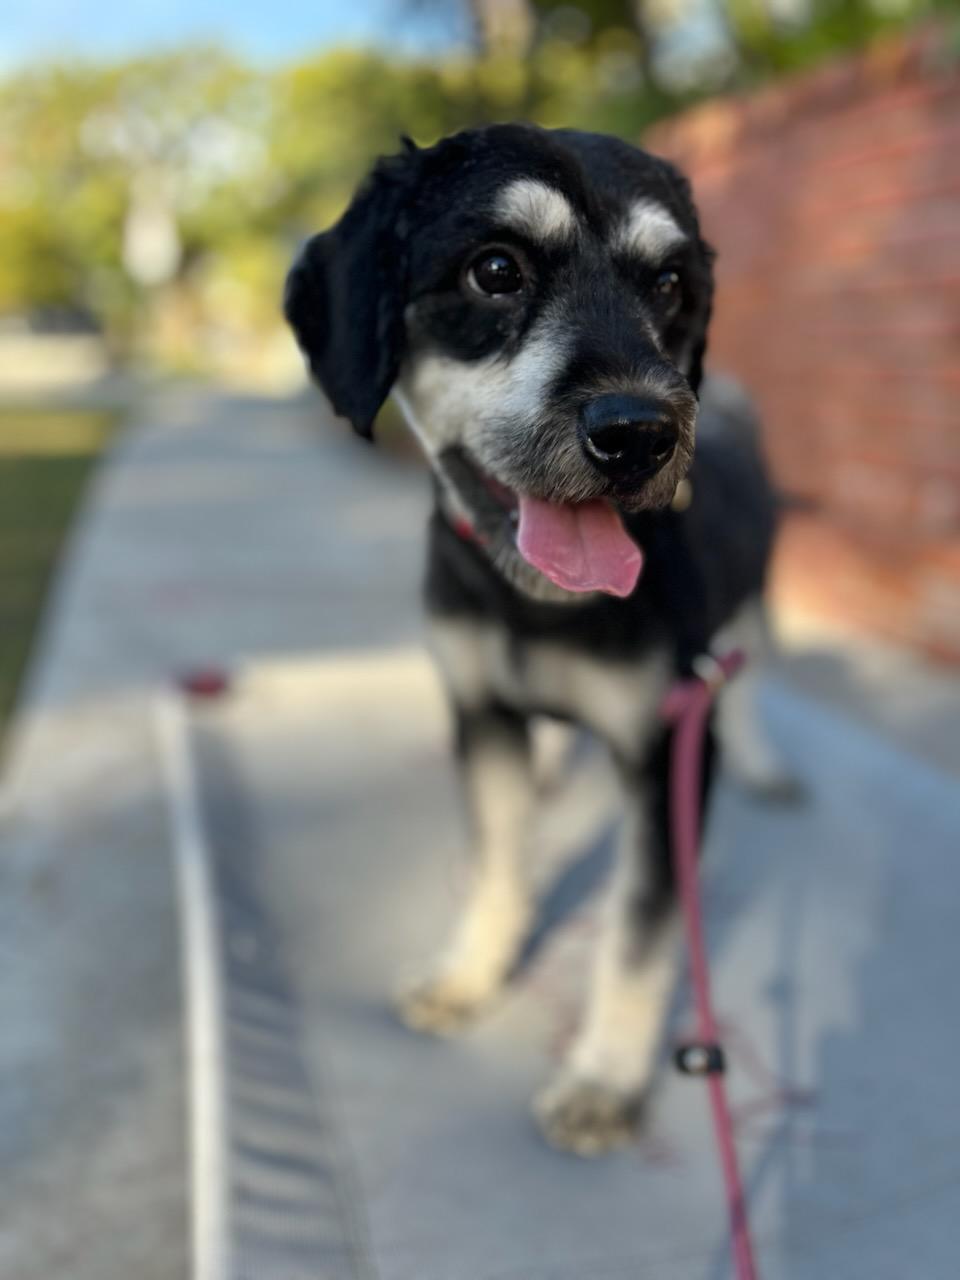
(587, 1118)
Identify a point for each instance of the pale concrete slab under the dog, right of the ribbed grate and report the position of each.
(834, 963)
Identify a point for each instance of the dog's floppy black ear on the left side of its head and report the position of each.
(346, 294)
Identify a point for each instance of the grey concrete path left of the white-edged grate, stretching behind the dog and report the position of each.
(220, 531)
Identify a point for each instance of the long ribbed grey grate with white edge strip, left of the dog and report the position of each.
(275, 1197)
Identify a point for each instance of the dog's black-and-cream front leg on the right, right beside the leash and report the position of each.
(596, 1101)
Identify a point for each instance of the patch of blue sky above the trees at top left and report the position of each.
(260, 30)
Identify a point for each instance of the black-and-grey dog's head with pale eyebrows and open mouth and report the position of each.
(540, 303)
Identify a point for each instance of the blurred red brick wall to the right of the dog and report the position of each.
(834, 202)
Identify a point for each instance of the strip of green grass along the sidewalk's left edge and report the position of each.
(45, 461)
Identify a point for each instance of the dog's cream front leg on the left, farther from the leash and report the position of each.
(496, 761)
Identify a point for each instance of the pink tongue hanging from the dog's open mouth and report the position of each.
(582, 548)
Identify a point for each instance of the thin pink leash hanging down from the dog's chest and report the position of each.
(688, 707)
